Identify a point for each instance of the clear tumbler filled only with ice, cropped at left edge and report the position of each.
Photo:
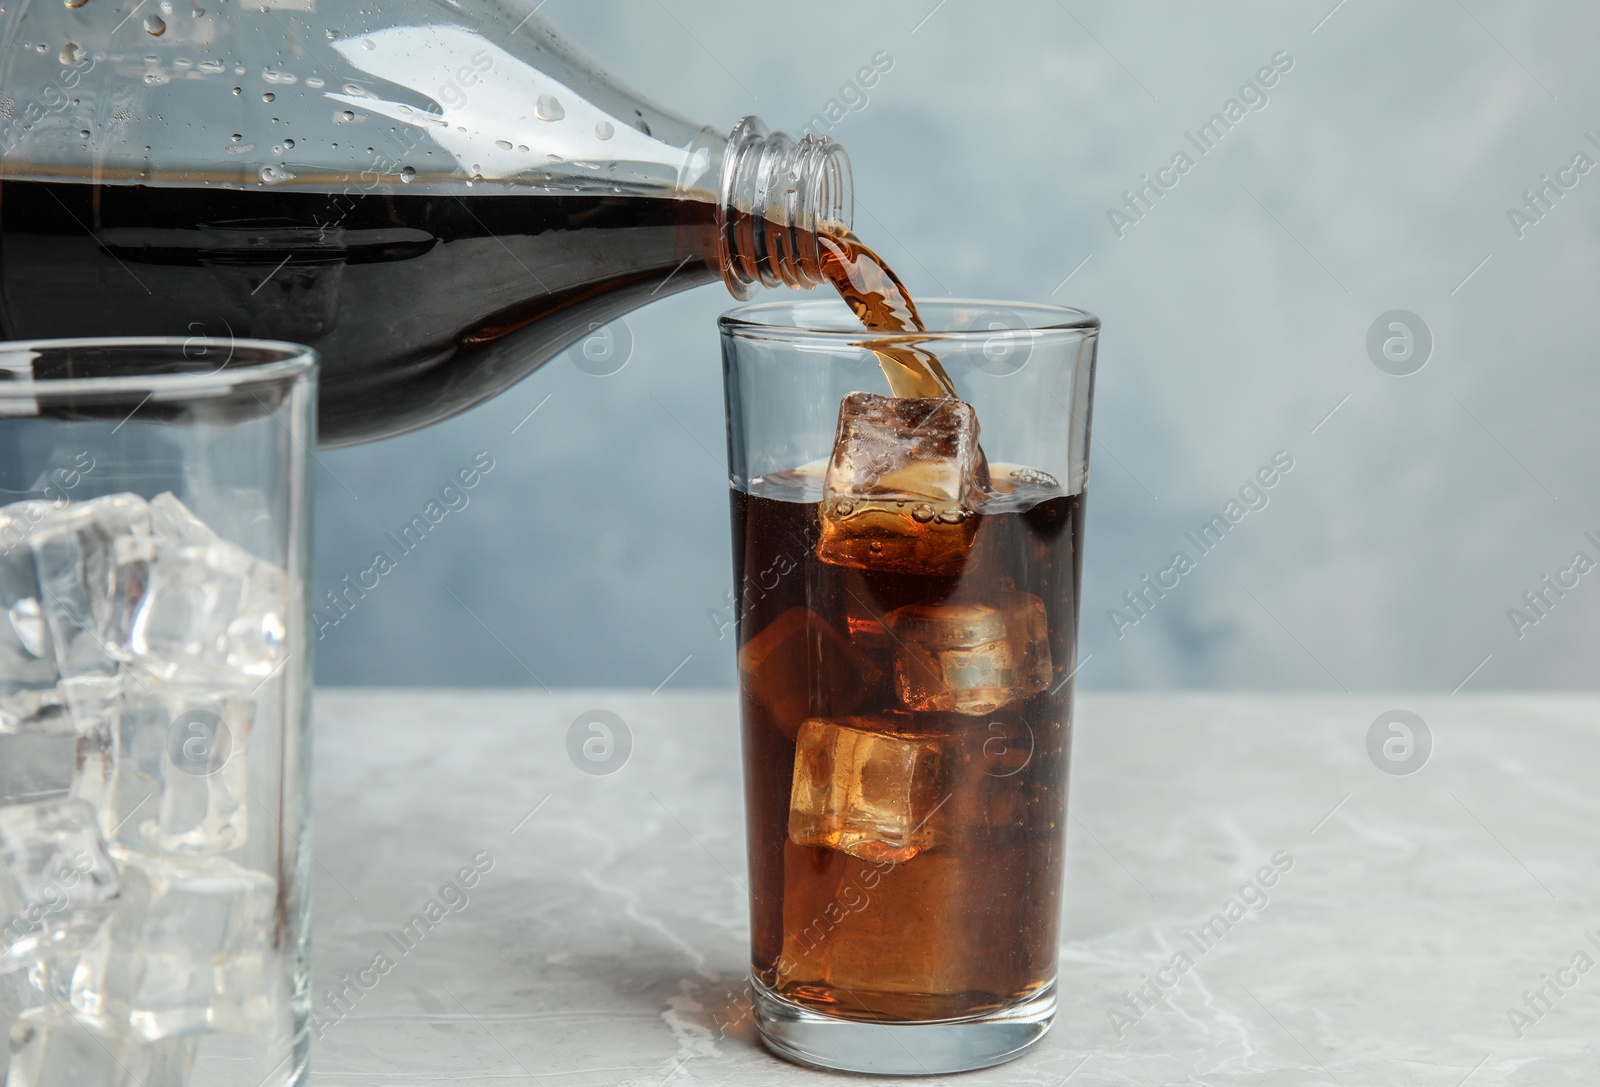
(154, 683)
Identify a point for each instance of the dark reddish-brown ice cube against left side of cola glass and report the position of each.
(799, 667)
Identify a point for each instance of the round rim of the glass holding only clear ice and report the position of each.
(286, 363)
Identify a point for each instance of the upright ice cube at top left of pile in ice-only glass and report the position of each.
(94, 564)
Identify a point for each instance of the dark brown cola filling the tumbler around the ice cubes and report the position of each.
(967, 925)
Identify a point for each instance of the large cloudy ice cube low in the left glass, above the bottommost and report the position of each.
(186, 950)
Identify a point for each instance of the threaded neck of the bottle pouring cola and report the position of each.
(777, 196)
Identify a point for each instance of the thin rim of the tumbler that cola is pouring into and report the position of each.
(1054, 319)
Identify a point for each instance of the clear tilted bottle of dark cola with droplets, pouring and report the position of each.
(436, 199)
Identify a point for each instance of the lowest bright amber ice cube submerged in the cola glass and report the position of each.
(866, 787)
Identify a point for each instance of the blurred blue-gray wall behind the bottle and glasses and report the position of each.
(1238, 313)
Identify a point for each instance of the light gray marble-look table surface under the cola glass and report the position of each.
(606, 939)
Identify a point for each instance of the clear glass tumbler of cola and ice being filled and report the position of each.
(908, 600)
